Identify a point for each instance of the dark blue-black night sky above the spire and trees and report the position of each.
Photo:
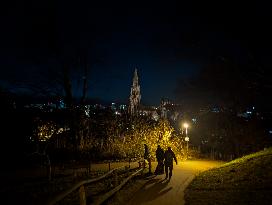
(167, 43)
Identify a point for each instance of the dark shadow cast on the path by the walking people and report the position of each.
(153, 189)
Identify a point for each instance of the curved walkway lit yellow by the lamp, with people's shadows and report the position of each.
(158, 191)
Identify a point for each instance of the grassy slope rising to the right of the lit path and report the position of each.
(247, 180)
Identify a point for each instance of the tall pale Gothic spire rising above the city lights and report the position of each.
(135, 95)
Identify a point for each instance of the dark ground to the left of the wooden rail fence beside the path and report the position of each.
(27, 186)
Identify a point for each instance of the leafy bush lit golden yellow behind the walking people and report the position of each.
(143, 131)
